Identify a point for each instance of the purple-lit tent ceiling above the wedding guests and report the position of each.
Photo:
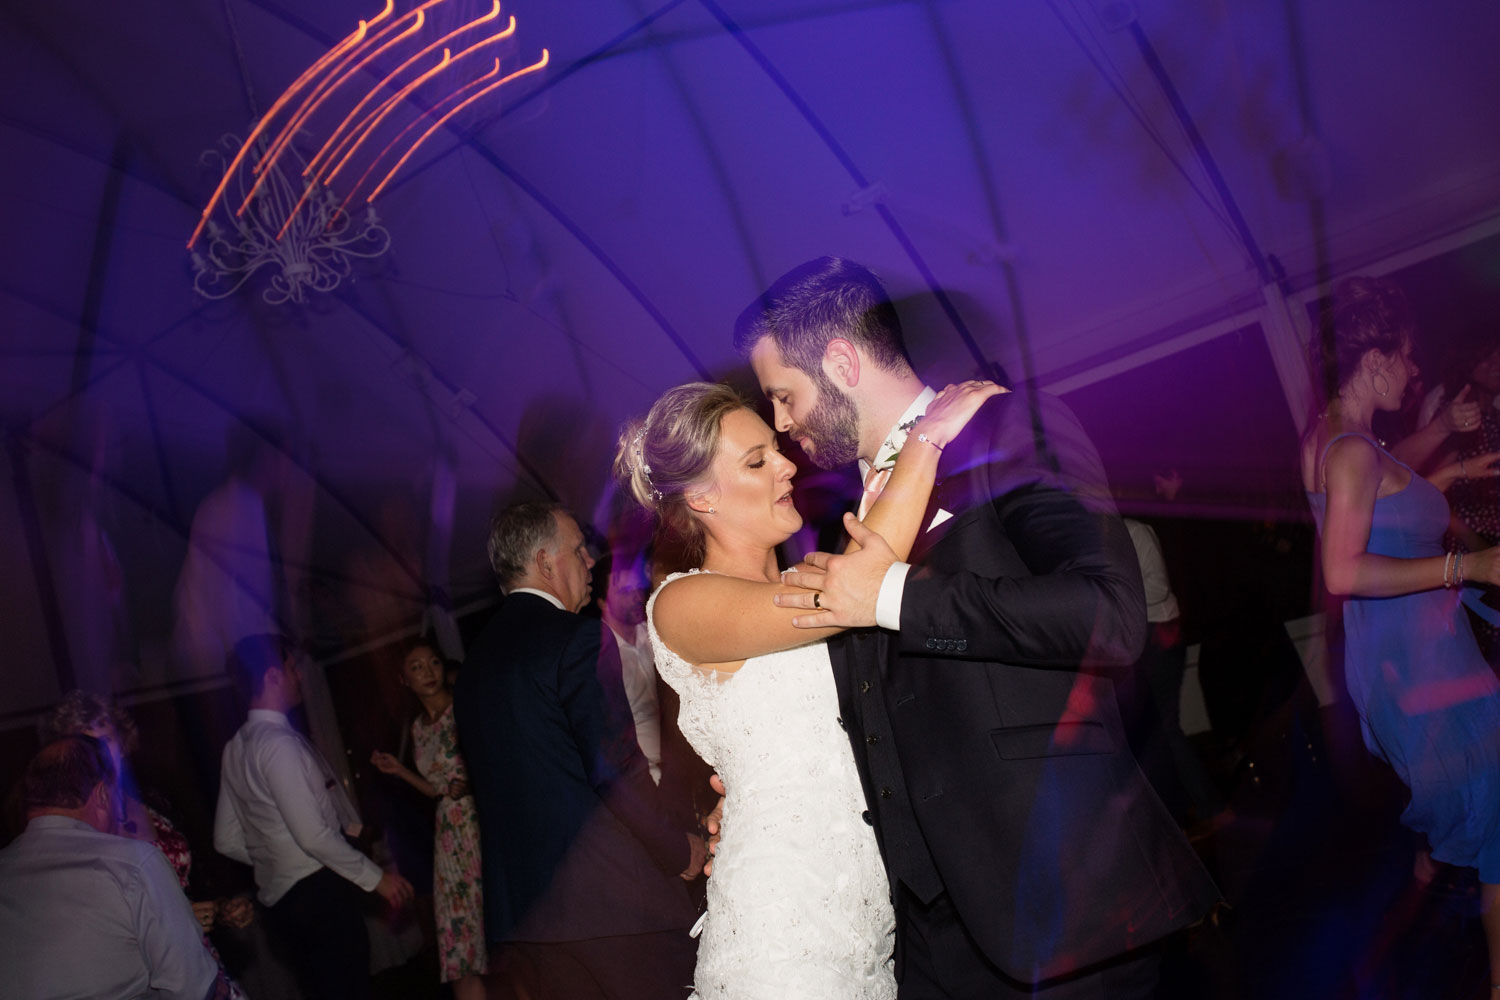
(559, 265)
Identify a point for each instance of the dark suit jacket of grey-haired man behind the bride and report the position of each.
(575, 843)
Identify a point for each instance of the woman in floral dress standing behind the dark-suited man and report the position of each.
(460, 905)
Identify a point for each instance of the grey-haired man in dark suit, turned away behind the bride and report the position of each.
(584, 875)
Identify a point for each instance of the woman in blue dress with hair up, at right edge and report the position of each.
(1427, 701)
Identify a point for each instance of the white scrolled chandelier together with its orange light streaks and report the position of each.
(310, 220)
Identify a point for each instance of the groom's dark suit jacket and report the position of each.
(988, 732)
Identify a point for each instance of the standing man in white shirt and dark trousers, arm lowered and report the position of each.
(284, 813)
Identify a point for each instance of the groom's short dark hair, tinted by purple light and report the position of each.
(817, 302)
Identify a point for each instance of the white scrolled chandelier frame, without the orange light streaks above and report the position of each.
(316, 253)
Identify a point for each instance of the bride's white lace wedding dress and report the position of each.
(799, 905)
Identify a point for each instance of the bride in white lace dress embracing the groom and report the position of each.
(799, 905)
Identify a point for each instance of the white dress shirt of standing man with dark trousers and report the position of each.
(283, 812)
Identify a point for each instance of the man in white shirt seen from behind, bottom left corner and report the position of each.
(83, 912)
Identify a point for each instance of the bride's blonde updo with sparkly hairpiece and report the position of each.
(671, 452)
